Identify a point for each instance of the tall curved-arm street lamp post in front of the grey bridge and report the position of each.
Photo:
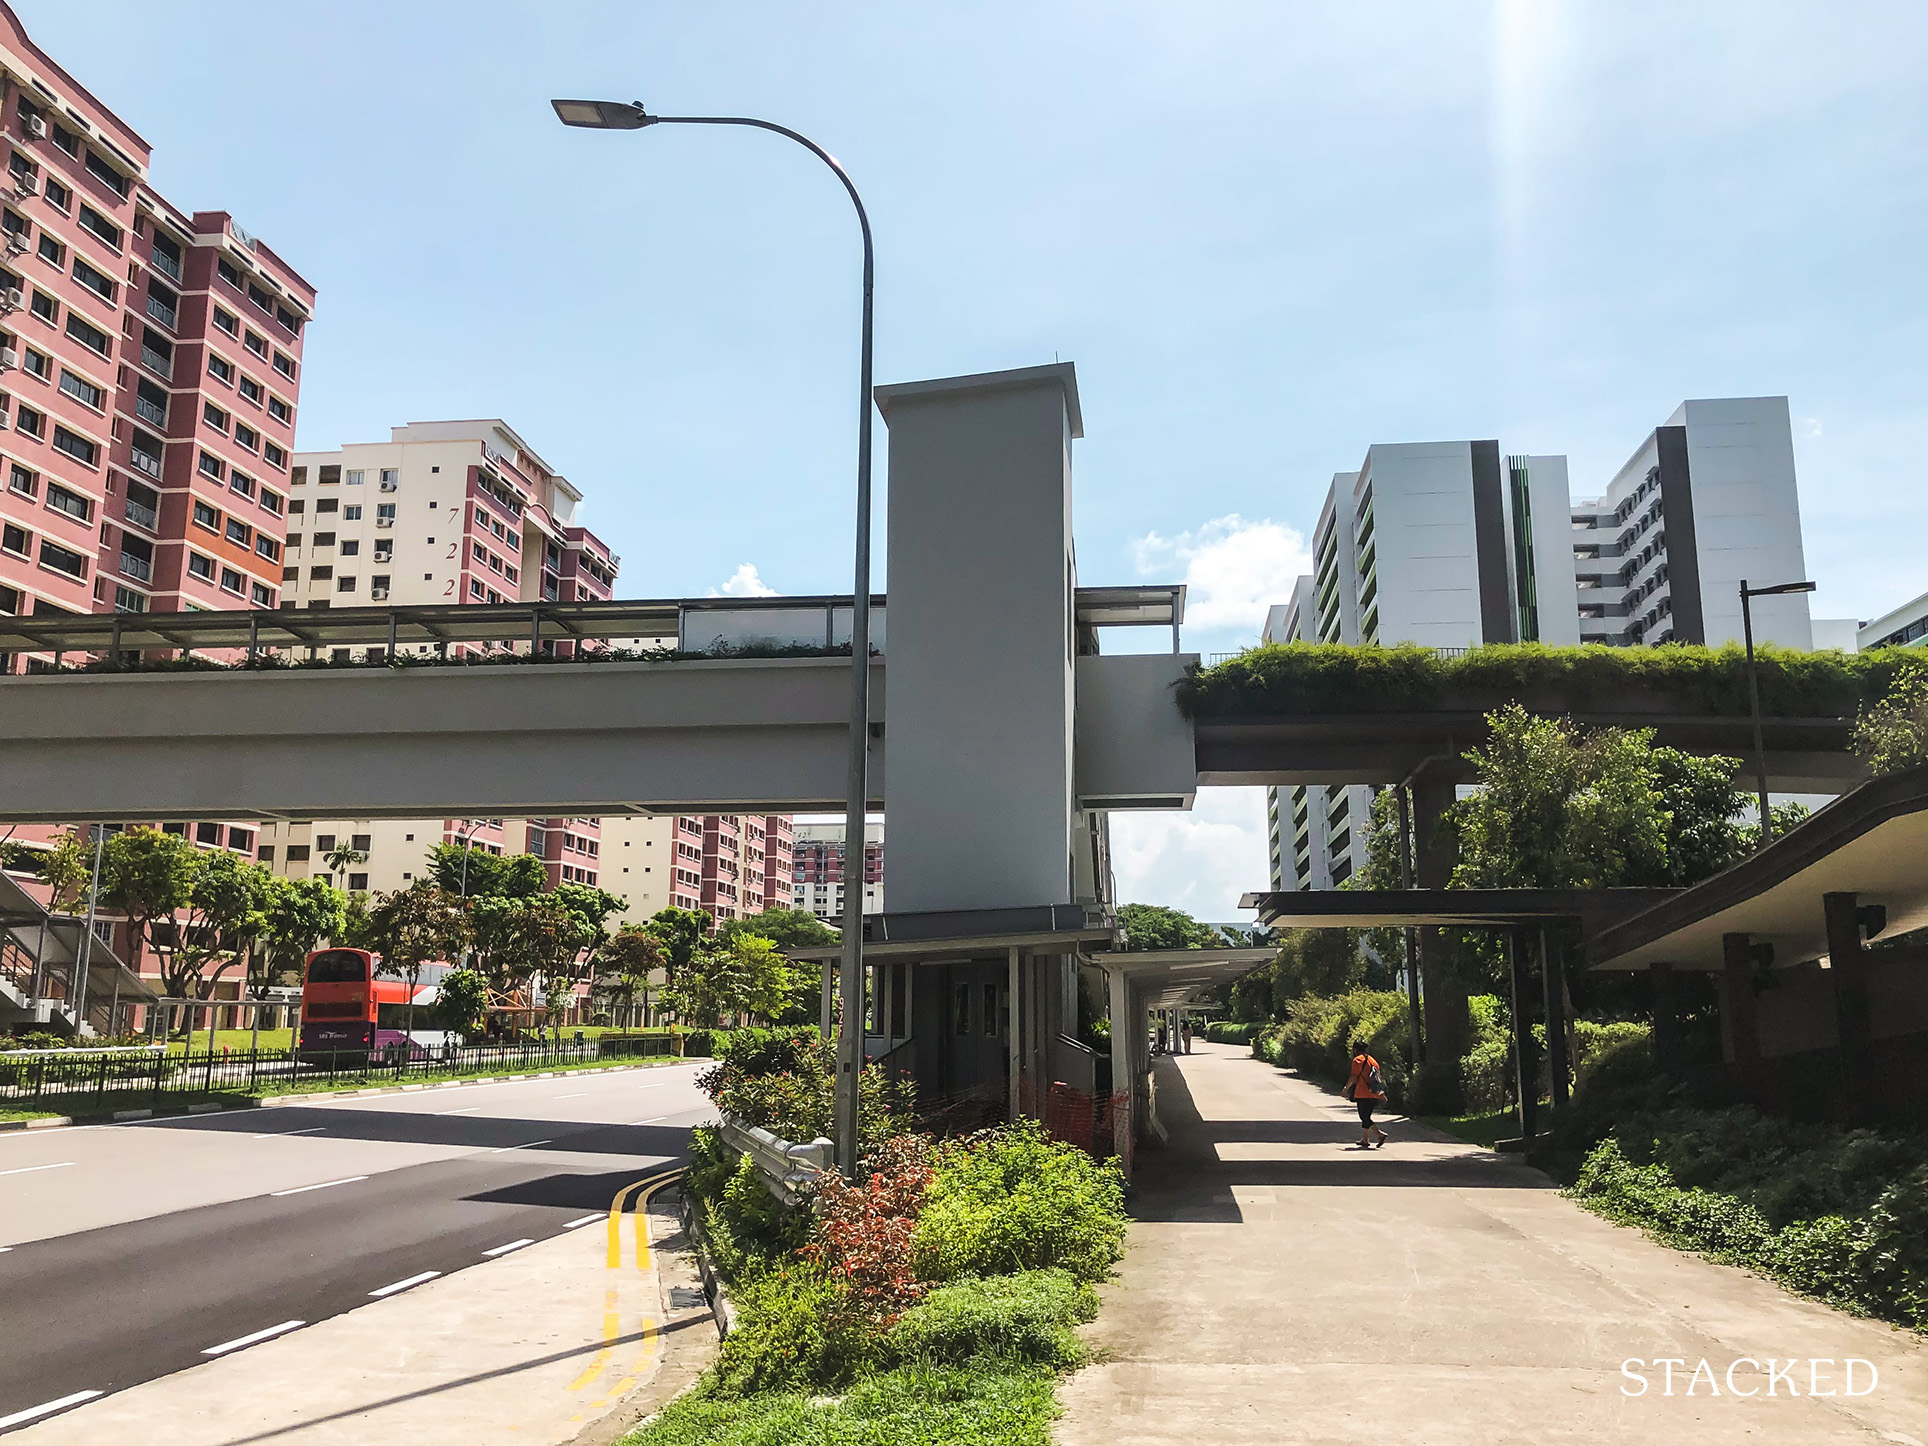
(631, 117)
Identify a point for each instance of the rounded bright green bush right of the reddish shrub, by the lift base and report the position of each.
(1017, 1200)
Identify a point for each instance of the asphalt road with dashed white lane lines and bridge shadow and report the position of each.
(138, 1250)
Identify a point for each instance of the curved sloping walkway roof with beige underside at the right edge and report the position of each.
(1871, 843)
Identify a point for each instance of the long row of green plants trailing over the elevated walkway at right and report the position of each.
(1302, 678)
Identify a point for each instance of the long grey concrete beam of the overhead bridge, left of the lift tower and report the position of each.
(533, 741)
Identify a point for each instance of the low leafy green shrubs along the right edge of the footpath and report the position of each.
(1875, 1262)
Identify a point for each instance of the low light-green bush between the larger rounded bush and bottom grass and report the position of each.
(1023, 1318)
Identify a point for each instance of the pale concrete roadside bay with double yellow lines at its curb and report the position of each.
(568, 1341)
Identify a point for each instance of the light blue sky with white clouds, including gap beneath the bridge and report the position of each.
(1268, 234)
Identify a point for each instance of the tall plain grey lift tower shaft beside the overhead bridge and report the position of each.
(982, 645)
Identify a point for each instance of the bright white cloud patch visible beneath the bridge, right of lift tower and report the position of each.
(1200, 861)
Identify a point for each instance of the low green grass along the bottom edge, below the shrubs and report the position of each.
(988, 1401)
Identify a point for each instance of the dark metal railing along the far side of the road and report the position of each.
(103, 1079)
